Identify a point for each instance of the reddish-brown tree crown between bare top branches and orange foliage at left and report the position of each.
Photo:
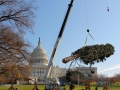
(12, 45)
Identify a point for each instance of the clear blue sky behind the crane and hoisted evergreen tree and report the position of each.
(104, 26)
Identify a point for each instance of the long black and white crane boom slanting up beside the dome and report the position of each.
(48, 70)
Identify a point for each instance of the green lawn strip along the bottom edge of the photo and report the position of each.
(41, 87)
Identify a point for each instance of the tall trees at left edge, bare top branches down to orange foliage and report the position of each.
(16, 17)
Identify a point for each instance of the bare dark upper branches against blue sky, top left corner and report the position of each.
(18, 14)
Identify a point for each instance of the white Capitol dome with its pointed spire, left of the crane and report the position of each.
(39, 56)
